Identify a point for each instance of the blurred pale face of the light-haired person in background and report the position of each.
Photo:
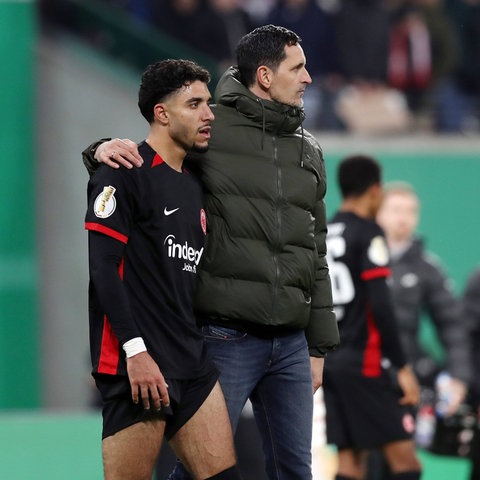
(398, 215)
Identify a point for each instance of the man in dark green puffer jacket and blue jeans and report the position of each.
(264, 295)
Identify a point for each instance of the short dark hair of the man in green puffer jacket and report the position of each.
(263, 46)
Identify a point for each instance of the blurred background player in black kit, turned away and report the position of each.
(365, 408)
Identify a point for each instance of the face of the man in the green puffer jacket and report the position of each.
(291, 78)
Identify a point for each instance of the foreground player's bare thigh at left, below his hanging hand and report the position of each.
(130, 454)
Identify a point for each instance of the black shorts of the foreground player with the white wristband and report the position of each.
(119, 411)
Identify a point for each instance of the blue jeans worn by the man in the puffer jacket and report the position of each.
(275, 374)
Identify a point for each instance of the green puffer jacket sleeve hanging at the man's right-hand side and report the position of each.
(322, 330)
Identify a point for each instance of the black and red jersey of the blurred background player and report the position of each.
(359, 265)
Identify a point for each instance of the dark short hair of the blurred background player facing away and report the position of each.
(357, 173)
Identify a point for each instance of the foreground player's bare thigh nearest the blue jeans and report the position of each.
(205, 443)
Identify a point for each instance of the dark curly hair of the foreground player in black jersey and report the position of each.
(161, 79)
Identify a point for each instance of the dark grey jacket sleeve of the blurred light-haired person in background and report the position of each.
(444, 310)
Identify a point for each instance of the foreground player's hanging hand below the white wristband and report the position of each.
(147, 381)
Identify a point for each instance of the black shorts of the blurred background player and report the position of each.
(364, 413)
